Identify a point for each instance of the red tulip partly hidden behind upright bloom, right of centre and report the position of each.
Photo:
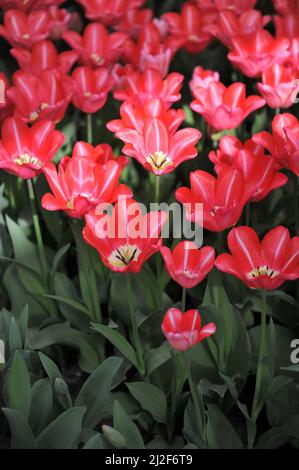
(260, 171)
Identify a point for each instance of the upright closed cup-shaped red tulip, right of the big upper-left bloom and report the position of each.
(91, 88)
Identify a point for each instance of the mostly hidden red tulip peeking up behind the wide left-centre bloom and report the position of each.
(102, 153)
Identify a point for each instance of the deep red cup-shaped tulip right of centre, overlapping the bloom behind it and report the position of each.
(223, 198)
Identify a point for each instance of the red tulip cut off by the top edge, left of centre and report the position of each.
(109, 12)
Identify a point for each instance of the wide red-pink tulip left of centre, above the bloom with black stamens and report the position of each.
(81, 184)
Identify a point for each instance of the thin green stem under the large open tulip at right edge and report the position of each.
(259, 373)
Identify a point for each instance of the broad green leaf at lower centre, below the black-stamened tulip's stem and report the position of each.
(151, 399)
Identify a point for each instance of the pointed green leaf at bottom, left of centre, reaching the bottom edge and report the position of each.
(125, 426)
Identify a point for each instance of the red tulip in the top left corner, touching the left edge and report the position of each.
(22, 30)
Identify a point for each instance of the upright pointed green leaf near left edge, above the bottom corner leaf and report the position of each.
(18, 387)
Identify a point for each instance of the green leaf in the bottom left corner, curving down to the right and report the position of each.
(21, 434)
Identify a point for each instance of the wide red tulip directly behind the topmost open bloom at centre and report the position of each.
(138, 88)
